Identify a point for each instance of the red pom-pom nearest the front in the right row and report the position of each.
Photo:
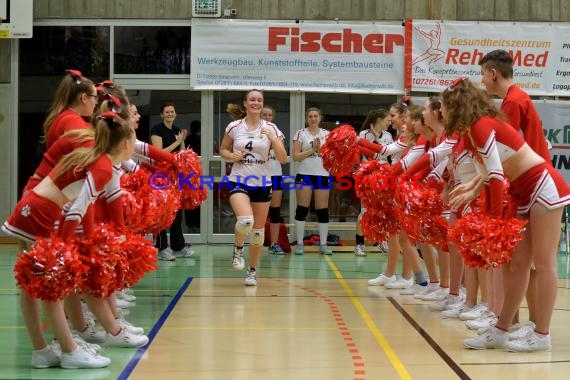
(485, 241)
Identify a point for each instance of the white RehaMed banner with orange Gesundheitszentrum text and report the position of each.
(443, 50)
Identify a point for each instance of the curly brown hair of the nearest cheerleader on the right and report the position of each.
(464, 104)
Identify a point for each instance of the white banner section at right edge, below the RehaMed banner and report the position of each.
(555, 116)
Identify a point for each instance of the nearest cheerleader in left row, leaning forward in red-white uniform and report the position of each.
(77, 179)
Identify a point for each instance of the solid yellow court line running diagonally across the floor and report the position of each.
(382, 342)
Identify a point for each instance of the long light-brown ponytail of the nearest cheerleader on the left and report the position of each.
(109, 133)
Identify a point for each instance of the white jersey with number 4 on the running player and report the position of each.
(254, 169)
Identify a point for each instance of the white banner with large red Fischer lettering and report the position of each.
(355, 57)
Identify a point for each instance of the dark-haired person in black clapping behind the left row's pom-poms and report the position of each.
(170, 138)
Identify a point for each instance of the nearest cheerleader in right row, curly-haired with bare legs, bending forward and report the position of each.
(540, 193)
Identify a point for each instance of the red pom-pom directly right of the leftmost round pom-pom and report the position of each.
(107, 263)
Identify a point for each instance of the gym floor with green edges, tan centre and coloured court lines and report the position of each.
(310, 317)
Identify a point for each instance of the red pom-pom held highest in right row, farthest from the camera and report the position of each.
(340, 154)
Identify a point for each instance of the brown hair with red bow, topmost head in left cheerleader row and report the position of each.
(67, 93)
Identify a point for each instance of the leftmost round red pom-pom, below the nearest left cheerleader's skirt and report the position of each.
(50, 270)
